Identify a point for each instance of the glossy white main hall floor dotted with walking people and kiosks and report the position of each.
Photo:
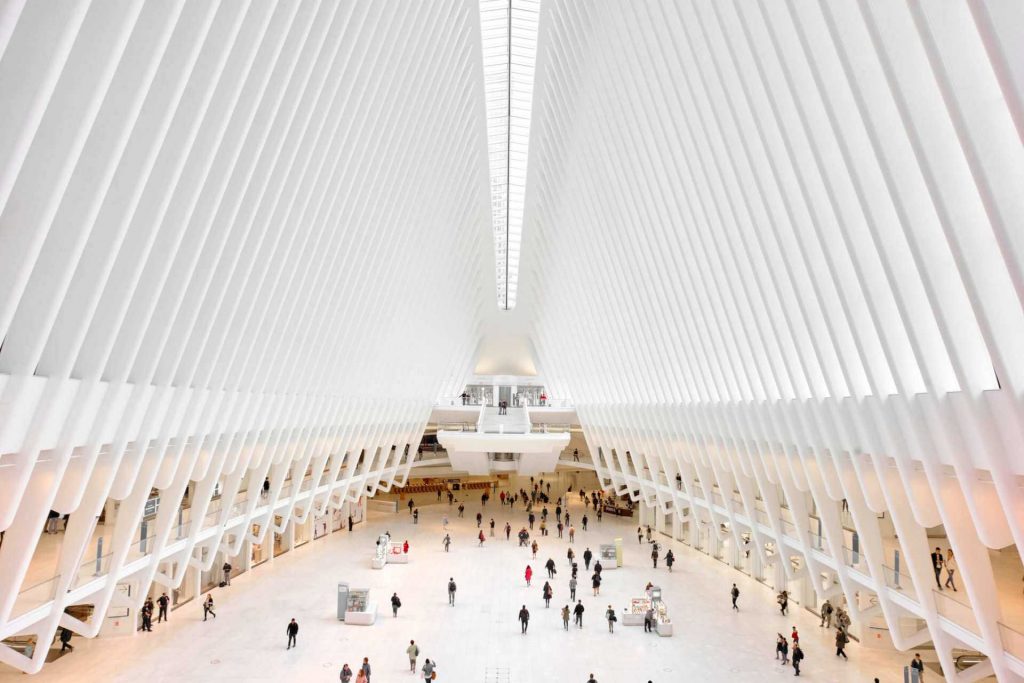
(247, 641)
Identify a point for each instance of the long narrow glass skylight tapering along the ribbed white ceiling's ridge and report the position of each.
(509, 33)
